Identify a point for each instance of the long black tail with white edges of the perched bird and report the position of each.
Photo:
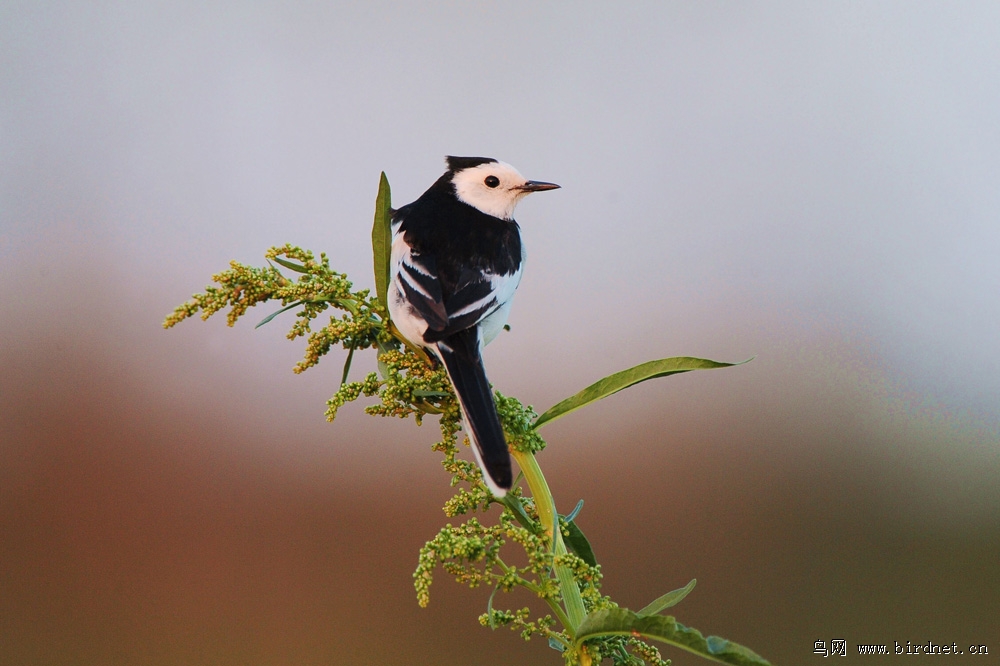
(460, 354)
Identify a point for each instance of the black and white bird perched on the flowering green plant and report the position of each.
(457, 259)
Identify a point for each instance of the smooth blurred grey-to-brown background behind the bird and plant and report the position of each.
(813, 185)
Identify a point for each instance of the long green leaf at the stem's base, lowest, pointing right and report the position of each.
(623, 622)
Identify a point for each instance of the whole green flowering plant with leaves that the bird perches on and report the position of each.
(561, 569)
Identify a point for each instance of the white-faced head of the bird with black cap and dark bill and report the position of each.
(491, 186)
